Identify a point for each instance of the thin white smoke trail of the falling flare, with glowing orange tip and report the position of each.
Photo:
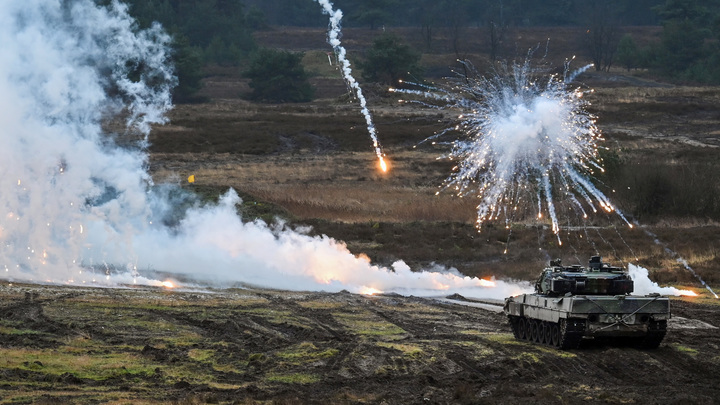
(334, 40)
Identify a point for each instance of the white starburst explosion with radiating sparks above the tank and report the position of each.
(525, 140)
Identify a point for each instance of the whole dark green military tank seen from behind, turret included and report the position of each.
(571, 303)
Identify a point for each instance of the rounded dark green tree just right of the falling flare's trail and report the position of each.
(388, 60)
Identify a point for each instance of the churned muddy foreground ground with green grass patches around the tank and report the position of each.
(144, 345)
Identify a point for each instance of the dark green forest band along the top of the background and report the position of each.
(220, 32)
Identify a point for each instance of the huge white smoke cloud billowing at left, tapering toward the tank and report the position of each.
(75, 207)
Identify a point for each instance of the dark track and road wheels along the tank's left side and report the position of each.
(565, 334)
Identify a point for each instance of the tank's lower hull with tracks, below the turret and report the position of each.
(563, 321)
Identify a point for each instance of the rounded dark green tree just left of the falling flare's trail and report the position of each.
(278, 76)
